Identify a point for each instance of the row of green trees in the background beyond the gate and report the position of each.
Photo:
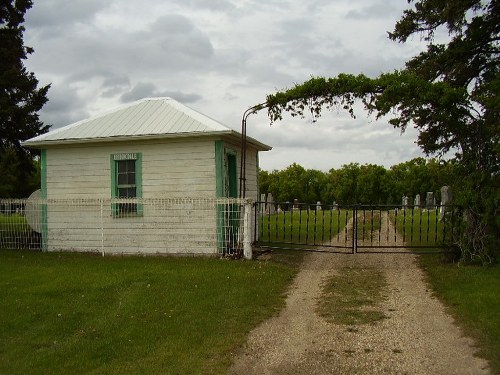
(359, 184)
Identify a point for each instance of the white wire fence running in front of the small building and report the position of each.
(170, 226)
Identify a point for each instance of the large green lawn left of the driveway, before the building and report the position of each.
(79, 313)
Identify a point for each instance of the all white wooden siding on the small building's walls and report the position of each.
(178, 168)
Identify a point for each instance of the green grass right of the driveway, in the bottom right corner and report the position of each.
(472, 294)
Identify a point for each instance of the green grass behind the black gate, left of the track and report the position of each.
(306, 227)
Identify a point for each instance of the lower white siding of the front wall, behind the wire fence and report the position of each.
(169, 229)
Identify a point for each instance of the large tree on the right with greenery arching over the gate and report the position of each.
(449, 93)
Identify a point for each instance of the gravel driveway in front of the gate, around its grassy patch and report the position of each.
(418, 337)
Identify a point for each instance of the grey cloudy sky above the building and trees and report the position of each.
(220, 57)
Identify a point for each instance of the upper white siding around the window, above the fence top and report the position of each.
(169, 169)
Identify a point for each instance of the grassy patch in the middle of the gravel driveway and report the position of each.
(352, 297)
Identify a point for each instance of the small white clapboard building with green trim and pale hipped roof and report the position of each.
(156, 164)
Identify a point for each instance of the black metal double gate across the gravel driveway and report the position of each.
(356, 228)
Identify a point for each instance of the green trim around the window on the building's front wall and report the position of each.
(115, 207)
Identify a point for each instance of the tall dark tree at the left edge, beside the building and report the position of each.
(20, 97)
